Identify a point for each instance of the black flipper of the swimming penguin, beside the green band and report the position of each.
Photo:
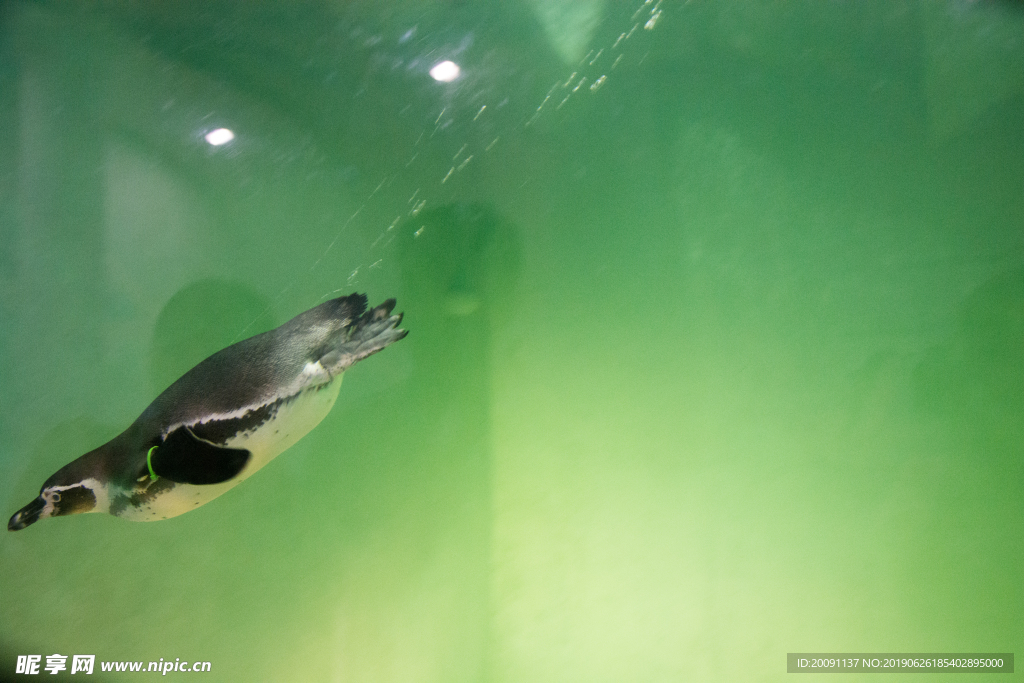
(184, 458)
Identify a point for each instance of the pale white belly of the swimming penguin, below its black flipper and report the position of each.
(293, 420)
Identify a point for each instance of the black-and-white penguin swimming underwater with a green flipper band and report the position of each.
(223, 420)
